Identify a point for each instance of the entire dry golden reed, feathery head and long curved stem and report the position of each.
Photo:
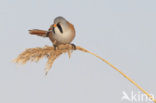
(35, 54)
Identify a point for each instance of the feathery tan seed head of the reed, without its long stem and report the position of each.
(35, 54)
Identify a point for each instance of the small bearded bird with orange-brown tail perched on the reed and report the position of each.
(60, 32)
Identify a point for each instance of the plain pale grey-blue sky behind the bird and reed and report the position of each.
(121, 31)
